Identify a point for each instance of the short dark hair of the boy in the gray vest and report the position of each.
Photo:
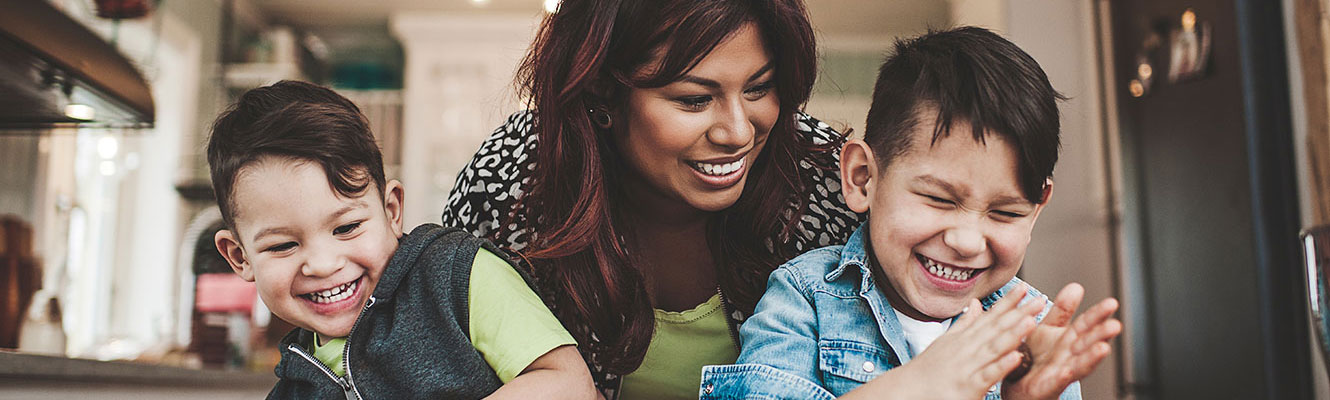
(297, 120)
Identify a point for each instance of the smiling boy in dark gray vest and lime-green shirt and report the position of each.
(312, 221)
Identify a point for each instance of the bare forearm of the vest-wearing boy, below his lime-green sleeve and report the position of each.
(559, 374)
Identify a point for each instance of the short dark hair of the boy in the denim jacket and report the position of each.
(976, 76)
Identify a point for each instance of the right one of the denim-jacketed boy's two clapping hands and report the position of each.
(1066, 354)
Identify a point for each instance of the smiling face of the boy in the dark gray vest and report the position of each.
(316, 256)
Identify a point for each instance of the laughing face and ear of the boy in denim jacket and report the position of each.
(948, 223)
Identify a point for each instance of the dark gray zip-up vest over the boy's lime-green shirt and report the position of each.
(410, 341)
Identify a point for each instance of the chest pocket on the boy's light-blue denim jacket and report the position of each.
(848, 365)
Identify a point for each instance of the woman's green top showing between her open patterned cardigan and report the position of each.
(684, 342)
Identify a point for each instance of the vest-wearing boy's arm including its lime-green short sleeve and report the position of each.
(521, 340)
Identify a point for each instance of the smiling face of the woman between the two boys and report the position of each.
(692, 143)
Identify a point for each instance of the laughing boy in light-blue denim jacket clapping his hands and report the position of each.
(954, 168)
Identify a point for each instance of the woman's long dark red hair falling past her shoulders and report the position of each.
(589, 54)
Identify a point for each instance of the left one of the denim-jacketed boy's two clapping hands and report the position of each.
(978, 350)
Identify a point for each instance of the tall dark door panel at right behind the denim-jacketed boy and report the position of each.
(1224, 317)
